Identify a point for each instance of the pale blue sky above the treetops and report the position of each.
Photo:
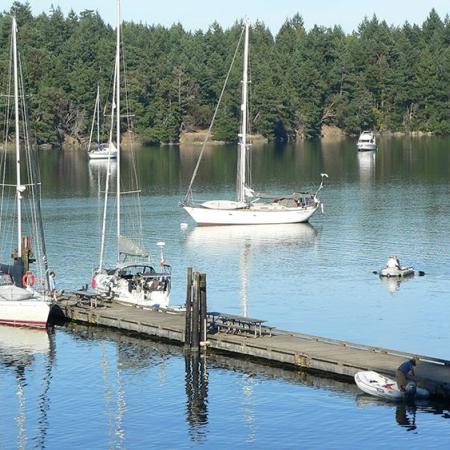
(199, 14)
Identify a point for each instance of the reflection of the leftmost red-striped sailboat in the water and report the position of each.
(18, 350)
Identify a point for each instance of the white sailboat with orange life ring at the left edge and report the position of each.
(21, 303)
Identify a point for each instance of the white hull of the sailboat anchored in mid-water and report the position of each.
(255, 215)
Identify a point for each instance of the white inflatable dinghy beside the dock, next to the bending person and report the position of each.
(373, 383)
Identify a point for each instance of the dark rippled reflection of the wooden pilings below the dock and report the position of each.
(196, 386)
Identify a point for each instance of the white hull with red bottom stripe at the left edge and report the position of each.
(29, 313)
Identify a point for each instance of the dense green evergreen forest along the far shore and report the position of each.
(380, 76)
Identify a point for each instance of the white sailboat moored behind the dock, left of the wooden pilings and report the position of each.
(133, 280)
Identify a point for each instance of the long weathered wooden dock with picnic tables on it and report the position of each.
(272, 345)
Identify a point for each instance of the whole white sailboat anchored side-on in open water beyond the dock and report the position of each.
(251, 207)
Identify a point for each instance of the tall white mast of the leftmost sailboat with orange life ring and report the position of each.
(16, 113)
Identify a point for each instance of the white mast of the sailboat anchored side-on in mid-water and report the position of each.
(243, 141)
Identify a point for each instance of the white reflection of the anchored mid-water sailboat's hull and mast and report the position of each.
(245, 239)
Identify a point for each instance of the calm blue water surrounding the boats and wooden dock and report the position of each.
(92, 388)
